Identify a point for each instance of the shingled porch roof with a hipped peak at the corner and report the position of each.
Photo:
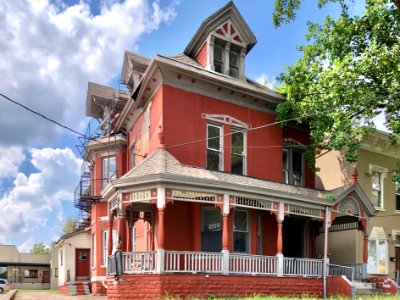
(161, 162)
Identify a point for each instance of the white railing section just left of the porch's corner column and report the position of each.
(139, 262)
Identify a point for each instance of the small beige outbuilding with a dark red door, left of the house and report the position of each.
(73, 259)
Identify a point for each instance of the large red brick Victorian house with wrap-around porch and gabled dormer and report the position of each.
(192, 189)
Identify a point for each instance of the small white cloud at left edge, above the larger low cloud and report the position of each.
(10, 159)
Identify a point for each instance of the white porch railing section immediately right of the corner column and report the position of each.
(192, 262)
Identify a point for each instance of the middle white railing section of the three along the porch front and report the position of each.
(253, 264)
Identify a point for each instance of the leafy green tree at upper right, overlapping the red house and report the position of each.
(349, 73)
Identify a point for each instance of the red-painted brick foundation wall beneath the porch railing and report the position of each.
(185, 285)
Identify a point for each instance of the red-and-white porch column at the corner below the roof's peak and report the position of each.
(160, 232)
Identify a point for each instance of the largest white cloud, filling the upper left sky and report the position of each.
(49, 51)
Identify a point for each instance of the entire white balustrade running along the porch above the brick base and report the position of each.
(213, 263)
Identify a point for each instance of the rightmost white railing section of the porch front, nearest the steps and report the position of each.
(305, 267)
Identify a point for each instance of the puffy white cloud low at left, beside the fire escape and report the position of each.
(26, 207)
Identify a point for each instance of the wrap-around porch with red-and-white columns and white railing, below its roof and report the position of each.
(198, 232)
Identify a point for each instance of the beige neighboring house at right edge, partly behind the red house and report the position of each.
(377, 159)
